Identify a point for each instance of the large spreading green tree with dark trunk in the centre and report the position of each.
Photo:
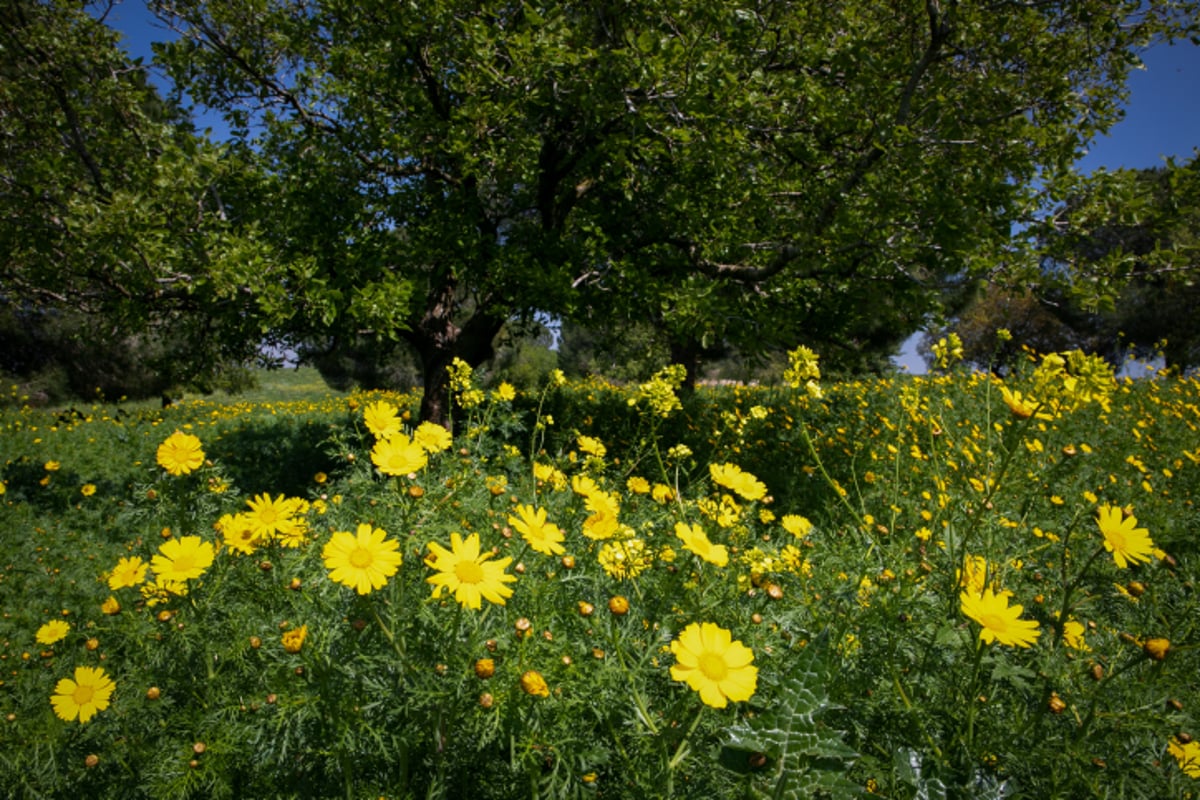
(752, 173)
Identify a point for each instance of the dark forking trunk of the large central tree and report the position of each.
(439, 341)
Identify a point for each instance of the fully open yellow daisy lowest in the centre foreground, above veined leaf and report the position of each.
(711, 663)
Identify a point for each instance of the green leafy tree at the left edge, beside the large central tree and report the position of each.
(110, 204)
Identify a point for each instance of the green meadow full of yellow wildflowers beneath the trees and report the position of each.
(950, 586)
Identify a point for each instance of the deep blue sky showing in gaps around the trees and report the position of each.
(1162, 116)
